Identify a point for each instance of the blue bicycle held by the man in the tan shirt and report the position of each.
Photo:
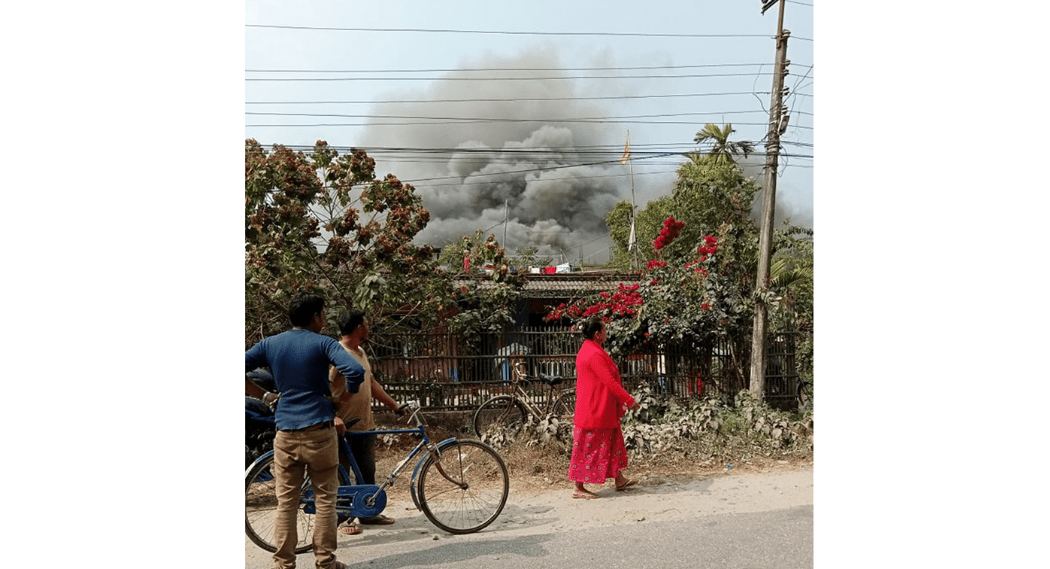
(461, 486)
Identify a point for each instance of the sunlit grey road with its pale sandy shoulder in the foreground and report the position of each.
(742, 521)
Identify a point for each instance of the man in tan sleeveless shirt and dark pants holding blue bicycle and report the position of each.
(353, 331)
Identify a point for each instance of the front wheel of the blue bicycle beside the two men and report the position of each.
(466, 490)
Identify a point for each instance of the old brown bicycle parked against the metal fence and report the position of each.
(507, 414)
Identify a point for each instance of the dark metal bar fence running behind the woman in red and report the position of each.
(446, 373)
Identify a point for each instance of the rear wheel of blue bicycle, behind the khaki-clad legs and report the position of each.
(261, 509)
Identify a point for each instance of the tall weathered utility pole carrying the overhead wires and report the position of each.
(778, 120)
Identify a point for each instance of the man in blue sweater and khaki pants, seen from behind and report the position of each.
(306, 441)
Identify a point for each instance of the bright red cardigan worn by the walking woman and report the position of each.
(601, 397)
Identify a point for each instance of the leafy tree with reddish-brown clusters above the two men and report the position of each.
(323, 222)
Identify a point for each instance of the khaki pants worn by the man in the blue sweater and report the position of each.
(296, 455)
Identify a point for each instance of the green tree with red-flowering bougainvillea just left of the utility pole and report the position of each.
(689, 296)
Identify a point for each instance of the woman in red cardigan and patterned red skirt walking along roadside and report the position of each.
(599, 452)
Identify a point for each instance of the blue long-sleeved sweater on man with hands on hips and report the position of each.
(300, 362)
